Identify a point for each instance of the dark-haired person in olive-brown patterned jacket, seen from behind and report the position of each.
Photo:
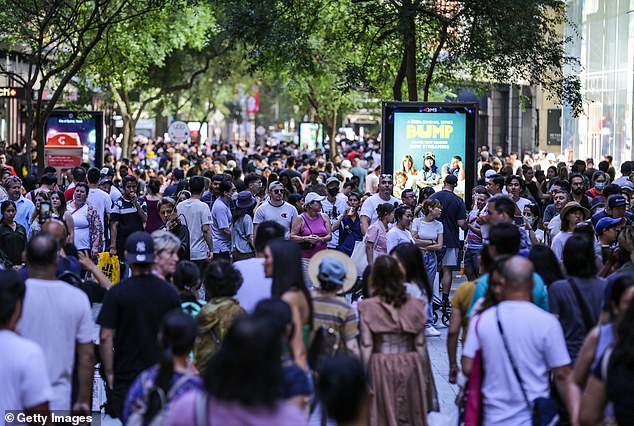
(221, 281)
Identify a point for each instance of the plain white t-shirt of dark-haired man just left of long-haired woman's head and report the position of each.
(255, 285)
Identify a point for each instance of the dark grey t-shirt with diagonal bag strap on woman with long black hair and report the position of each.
(563, 303)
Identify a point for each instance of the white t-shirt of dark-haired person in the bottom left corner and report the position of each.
(23, 373)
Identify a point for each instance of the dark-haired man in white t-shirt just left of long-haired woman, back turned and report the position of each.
(255, 285)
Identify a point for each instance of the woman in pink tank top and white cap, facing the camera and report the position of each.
(311, 230)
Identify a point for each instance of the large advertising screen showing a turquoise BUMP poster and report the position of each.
(423, 143)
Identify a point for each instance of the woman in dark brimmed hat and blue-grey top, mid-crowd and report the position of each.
(242, 228)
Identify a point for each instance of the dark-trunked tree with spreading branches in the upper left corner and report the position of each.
(56, 37)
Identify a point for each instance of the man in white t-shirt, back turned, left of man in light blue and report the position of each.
(196, 216)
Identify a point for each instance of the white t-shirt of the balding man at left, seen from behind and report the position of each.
(57, 315)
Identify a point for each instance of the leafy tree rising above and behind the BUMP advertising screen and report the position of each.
(467, 42)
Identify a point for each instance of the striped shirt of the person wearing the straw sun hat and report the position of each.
(334, 312)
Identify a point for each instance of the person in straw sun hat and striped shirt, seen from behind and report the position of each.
(334, 274)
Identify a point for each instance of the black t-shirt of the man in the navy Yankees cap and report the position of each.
(134, 309)
